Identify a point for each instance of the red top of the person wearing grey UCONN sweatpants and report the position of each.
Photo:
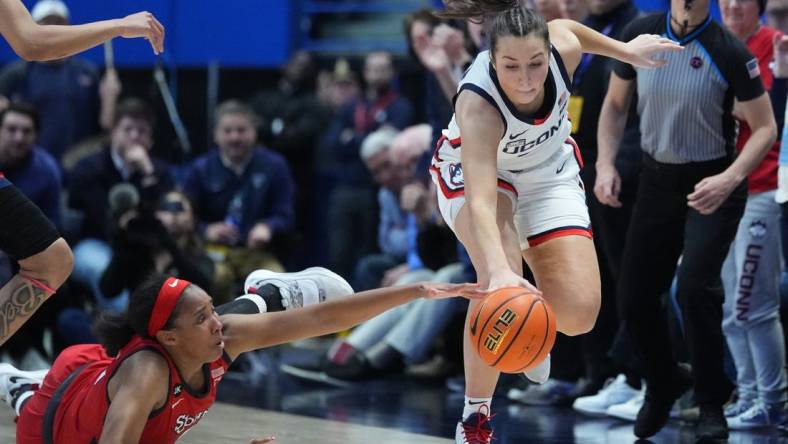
(764, 176)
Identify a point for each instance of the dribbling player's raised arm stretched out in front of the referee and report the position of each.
(640, 51)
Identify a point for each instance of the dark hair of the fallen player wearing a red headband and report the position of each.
(114, 330)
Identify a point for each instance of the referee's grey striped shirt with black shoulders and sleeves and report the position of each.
(685, 107)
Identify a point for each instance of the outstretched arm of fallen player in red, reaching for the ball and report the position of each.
(244, 333)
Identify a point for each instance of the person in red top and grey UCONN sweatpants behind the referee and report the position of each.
(751, 272)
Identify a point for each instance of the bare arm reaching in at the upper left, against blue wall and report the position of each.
(32, 41)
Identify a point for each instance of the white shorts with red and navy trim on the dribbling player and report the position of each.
(548, 199)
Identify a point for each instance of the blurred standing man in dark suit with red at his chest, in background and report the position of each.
(351, 214)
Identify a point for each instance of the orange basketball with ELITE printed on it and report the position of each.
(513, 330)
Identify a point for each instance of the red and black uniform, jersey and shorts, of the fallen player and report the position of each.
(72, 403)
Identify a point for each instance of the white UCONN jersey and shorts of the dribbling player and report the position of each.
(538, 162)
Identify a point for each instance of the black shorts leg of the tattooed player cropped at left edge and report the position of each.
(24, 229)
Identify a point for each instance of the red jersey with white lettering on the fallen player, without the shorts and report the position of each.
(82, 411)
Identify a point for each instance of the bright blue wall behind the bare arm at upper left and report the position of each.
(233, 32)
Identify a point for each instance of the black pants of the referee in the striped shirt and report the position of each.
(662, 229)
